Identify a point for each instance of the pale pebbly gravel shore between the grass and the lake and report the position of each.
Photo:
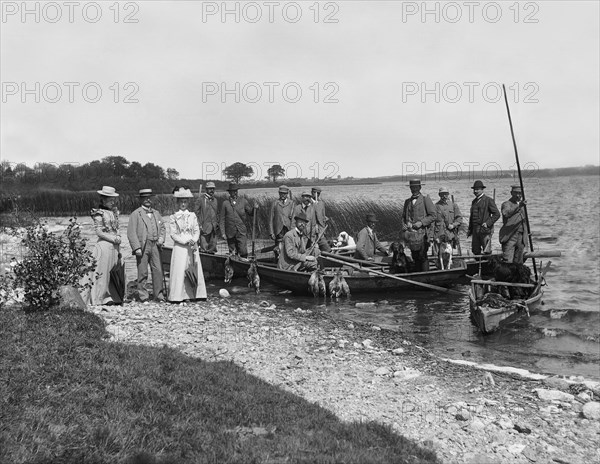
(360, 372)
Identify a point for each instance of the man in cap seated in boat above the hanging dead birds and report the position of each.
(294, 254)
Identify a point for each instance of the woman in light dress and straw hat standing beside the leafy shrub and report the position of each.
(106, 250)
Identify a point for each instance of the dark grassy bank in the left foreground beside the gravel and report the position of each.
(68, 395)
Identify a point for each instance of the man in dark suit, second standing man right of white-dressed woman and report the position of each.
(234, 212)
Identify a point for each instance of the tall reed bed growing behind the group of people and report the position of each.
(344, 215)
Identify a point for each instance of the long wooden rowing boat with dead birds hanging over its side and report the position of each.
(359, 281)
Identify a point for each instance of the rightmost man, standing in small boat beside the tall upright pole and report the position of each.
(512, 233)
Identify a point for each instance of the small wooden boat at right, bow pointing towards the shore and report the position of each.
(490, 310)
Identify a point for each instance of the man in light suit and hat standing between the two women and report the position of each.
(146, 234)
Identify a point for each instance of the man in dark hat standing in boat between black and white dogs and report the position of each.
(417, 217)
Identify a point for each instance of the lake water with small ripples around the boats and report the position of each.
(563, 337)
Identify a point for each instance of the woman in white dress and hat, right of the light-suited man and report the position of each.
(185, 260)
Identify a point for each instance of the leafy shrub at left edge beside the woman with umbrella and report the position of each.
(52, 261)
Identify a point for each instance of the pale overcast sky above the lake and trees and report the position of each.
(325, 89)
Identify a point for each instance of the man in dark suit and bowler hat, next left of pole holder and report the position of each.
(484, 213)
